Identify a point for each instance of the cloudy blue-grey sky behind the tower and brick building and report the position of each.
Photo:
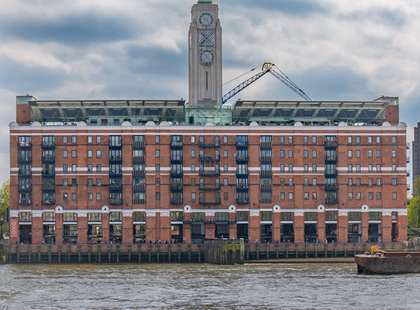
(137, 49)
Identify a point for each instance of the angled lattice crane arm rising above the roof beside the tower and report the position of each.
(267, 67)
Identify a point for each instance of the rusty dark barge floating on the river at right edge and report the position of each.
(388, 263)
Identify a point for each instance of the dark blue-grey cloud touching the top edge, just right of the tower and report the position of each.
(292, 7)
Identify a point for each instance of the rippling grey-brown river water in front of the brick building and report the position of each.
(259, 286)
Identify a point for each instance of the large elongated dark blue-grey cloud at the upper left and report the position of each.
(73, 28)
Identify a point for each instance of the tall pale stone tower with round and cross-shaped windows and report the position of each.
(205, 56)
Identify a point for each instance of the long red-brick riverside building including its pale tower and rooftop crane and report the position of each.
(135, 171)
